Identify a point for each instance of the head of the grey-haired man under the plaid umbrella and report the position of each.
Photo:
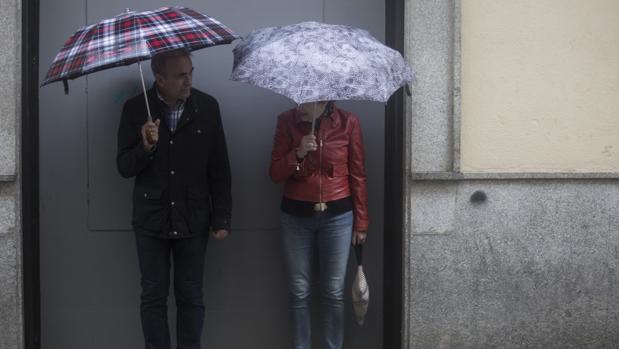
(174, 83)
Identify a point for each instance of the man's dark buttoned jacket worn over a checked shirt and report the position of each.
(182, 187)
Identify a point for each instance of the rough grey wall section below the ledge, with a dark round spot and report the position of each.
(534, 266)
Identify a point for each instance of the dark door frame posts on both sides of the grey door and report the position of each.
(393, 181)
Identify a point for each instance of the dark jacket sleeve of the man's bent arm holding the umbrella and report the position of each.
(131, 158)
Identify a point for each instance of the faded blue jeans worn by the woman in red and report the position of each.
(332, 235)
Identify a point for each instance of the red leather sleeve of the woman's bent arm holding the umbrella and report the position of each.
(283, 156)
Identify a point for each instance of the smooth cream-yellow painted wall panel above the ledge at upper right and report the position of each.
(540, 86)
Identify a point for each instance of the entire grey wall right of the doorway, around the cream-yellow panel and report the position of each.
(530, 262)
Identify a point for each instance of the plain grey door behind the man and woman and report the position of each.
(87, 254)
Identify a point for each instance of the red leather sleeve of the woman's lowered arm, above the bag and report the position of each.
(357, 179)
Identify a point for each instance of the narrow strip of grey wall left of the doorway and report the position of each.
(10, 231)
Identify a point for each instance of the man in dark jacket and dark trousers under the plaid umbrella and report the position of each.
(182, 189)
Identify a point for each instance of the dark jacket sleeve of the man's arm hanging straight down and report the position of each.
(219, 177)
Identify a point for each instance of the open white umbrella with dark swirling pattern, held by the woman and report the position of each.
(310, 61)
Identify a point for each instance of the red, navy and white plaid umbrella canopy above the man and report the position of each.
(135, 36)
